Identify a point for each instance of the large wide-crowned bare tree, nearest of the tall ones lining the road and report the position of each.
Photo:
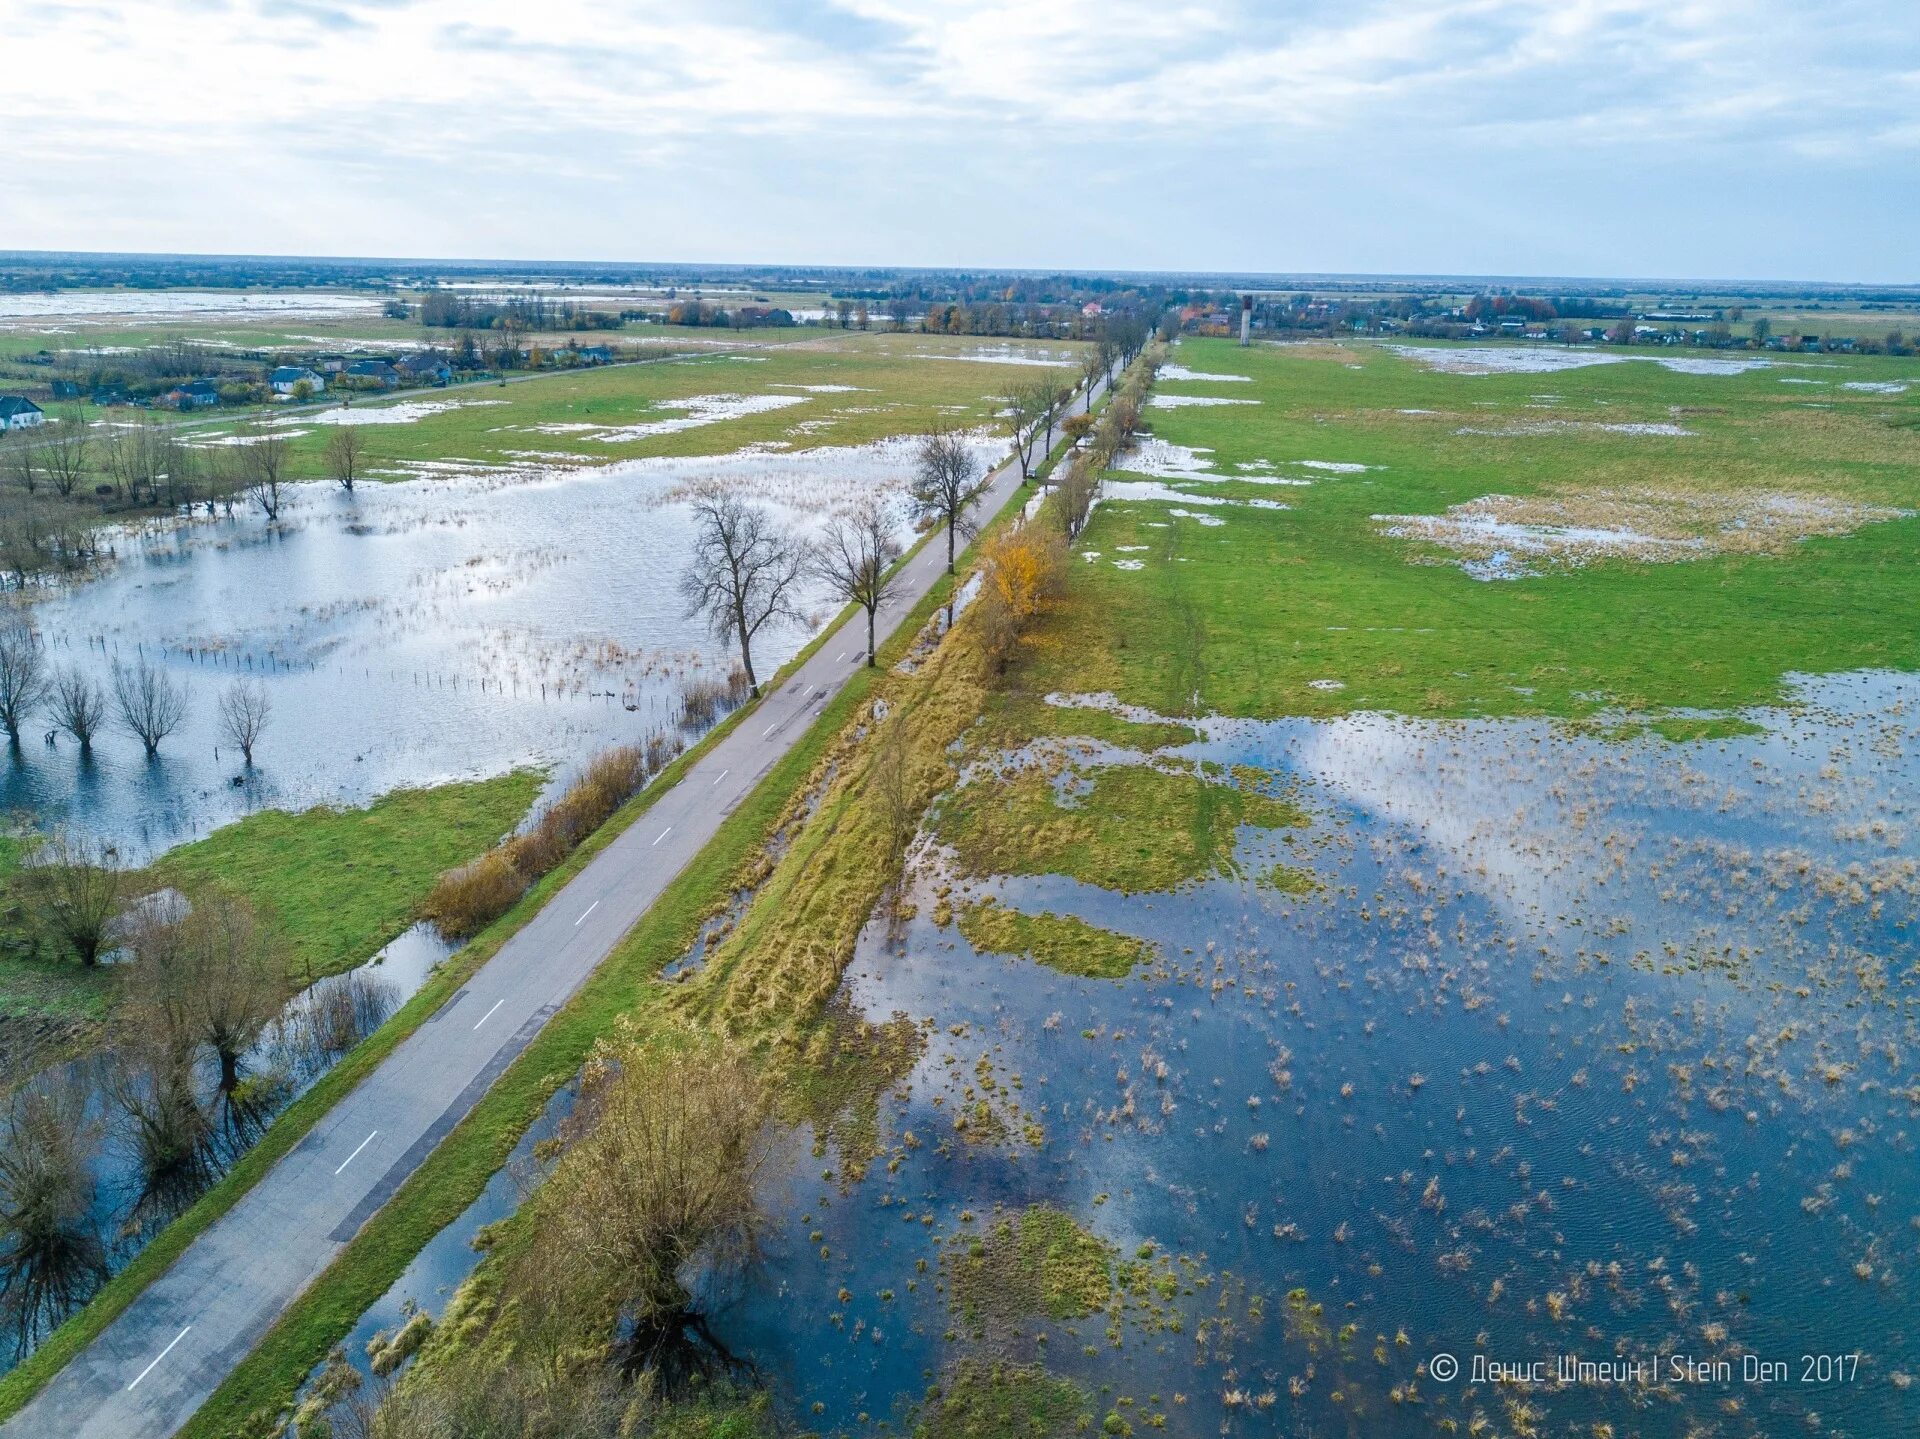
(744, 572)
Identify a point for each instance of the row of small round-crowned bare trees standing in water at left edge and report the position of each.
(145, 700)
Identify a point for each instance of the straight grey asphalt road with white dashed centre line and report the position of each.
(149, 1371)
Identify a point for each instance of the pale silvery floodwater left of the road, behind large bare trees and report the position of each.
(408, 635)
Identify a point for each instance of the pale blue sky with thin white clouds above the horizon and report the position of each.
(1756, 139)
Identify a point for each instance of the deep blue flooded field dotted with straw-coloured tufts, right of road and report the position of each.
(1572, 1046)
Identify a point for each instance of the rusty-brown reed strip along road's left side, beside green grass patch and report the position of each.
(473, 896)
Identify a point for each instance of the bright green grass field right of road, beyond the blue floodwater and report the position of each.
(1316, 610)
